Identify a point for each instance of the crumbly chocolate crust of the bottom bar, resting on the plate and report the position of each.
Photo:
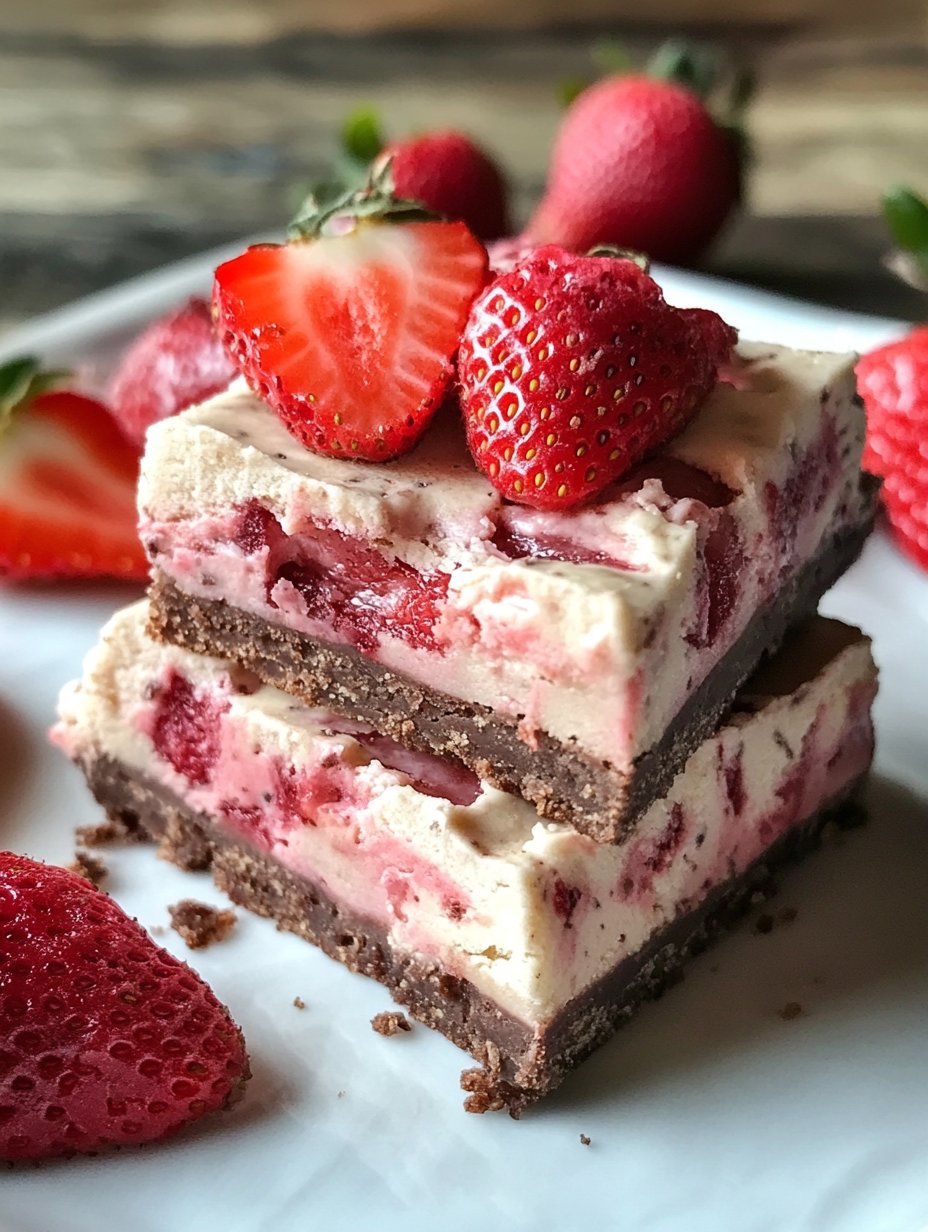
(521, 1063)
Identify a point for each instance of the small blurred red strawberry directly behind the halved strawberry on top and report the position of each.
(452, 176)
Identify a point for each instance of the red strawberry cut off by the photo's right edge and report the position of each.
(894, 385)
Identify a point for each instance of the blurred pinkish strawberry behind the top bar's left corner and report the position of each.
(176, 363)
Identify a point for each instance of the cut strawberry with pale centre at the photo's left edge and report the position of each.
(67, 485)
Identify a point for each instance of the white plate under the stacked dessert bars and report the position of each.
(708, 1113)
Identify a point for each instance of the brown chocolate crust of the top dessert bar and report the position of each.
(559, 779)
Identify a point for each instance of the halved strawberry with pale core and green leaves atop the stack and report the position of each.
(349, 331)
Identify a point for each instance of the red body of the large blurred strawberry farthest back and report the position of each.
(639, 163)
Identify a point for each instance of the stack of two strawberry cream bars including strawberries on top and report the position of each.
(518, 760)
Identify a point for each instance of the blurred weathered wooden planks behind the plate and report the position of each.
(126, 146)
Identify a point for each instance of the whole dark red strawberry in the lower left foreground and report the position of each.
(105, 1039)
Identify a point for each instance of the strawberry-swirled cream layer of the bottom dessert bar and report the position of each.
(532, 914)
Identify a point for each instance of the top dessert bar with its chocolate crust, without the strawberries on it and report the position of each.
(574, 659)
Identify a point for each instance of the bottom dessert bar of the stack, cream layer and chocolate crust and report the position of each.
(523, 942)
